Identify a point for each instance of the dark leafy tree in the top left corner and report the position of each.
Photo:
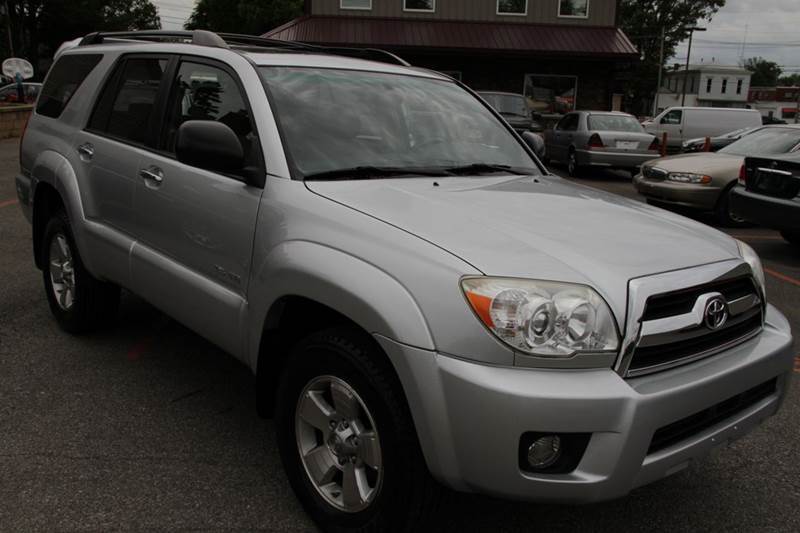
(38, 27)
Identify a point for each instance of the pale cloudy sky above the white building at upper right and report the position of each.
(766, 28)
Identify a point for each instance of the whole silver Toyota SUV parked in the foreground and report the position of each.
(423, 305)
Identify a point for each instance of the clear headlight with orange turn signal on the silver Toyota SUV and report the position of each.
(543, 318)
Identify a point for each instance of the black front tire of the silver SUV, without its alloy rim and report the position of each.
(408, 496)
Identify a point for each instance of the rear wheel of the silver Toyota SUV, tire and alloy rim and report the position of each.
(78, 301)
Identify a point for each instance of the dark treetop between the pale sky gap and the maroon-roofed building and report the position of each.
(253, 17)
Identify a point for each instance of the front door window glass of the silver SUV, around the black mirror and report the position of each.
(204, 92)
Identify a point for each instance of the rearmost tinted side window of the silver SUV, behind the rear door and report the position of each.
(64, 79)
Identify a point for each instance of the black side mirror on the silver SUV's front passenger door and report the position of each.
(209, 145)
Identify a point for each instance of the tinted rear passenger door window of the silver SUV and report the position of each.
(126, 109)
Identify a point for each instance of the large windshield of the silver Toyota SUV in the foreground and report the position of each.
(334, 120)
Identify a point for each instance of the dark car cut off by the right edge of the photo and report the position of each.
(769, 194)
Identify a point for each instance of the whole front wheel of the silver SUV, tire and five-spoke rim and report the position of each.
(347, 440)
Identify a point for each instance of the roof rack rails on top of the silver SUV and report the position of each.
(236, 40)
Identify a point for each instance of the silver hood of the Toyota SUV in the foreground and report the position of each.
(540, 228)
